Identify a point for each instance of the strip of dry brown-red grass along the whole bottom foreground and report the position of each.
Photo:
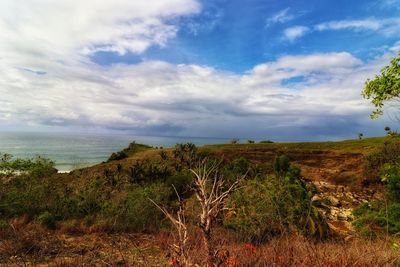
(33, 245)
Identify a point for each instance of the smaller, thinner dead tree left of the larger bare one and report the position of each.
(180, 248)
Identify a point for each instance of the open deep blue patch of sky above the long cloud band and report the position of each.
(236, 35)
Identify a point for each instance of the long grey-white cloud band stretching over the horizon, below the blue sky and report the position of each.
(192, 100)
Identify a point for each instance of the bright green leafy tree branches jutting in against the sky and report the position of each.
(384, 87)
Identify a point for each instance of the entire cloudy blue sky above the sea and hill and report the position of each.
(262, 69)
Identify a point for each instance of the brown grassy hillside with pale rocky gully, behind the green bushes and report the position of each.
(337, 169)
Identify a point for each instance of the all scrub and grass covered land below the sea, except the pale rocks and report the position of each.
(115, 213)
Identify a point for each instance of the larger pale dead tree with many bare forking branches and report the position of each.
(211, 190)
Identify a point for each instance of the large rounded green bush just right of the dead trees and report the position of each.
(277, 205)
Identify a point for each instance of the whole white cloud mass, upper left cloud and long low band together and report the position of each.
(46, 77)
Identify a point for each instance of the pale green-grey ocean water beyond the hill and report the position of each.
(72, 151)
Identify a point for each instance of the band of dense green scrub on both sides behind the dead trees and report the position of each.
(118, 200)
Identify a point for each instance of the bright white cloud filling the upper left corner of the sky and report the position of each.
(59, 28)
